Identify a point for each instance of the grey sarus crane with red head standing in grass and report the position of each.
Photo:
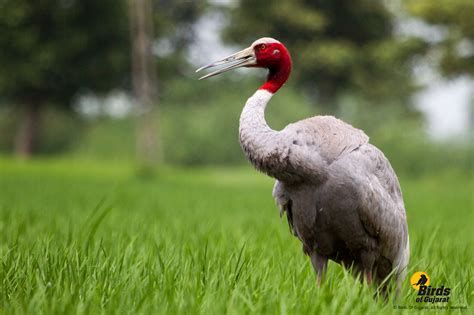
(340, 194)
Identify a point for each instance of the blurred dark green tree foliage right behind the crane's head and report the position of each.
(338, 46)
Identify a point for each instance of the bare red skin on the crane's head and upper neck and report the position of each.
(277, 60)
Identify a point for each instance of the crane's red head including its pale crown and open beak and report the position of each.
(263, 53)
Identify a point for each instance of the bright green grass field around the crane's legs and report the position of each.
(90, 237)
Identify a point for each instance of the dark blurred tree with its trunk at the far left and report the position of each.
(52, 50)
